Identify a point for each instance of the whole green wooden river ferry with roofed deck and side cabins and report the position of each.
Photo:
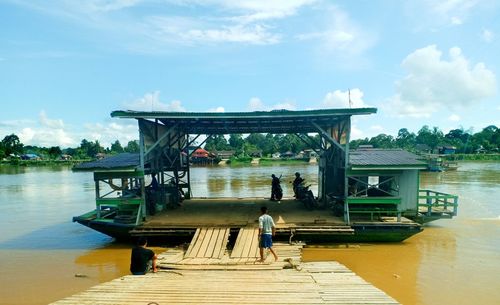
(365, 195)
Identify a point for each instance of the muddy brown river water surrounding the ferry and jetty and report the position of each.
(452, 262)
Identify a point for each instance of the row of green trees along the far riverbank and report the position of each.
(487, 140)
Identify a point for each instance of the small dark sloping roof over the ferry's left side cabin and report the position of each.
(117, 162)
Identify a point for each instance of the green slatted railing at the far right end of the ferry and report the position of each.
(434, 202)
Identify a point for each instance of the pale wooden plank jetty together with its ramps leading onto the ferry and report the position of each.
(203, 276)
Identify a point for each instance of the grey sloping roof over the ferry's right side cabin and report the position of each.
(384, 157)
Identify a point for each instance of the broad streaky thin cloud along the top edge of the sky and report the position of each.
(168, 23)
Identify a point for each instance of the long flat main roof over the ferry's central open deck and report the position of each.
(275, 122)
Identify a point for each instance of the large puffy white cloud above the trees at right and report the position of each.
(434, 83)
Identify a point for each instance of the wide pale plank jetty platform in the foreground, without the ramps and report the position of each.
(308, 283)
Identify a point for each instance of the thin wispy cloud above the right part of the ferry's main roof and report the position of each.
(342, 35)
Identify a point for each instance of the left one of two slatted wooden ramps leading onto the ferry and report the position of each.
(208, 243)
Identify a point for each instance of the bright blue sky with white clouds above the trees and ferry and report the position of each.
(65, 65)
